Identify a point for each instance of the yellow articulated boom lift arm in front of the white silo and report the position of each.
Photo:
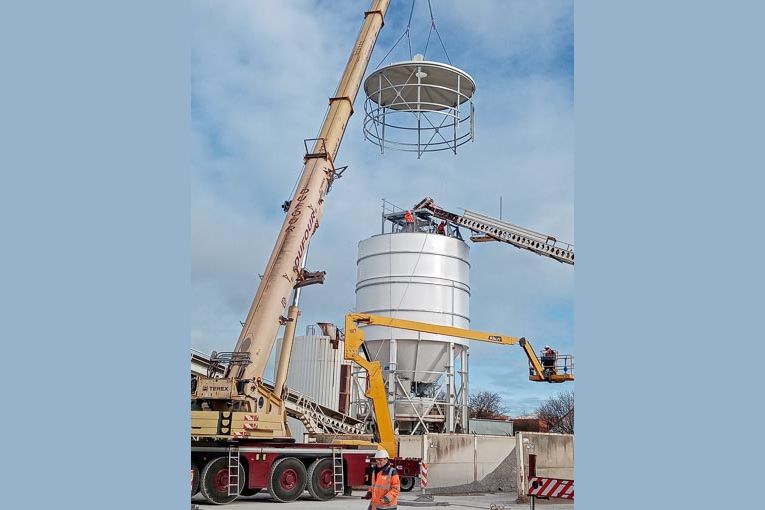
(354, 342)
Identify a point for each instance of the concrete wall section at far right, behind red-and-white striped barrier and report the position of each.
(554, 452)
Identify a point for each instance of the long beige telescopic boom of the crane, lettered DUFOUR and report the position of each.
(284, 269)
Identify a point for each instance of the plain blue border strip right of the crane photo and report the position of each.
(669, 138)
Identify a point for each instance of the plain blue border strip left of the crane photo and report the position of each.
(94, 201)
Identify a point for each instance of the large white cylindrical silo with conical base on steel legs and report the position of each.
(422, 277)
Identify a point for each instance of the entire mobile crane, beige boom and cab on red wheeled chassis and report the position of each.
(240, 440)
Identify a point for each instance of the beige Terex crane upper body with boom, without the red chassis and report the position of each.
(241, 389)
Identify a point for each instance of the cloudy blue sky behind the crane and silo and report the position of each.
(261, 76)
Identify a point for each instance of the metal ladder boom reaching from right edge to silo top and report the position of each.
(498, 230)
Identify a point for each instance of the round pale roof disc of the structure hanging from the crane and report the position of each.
(419, 85)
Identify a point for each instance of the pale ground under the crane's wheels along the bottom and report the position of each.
(481, 501)
